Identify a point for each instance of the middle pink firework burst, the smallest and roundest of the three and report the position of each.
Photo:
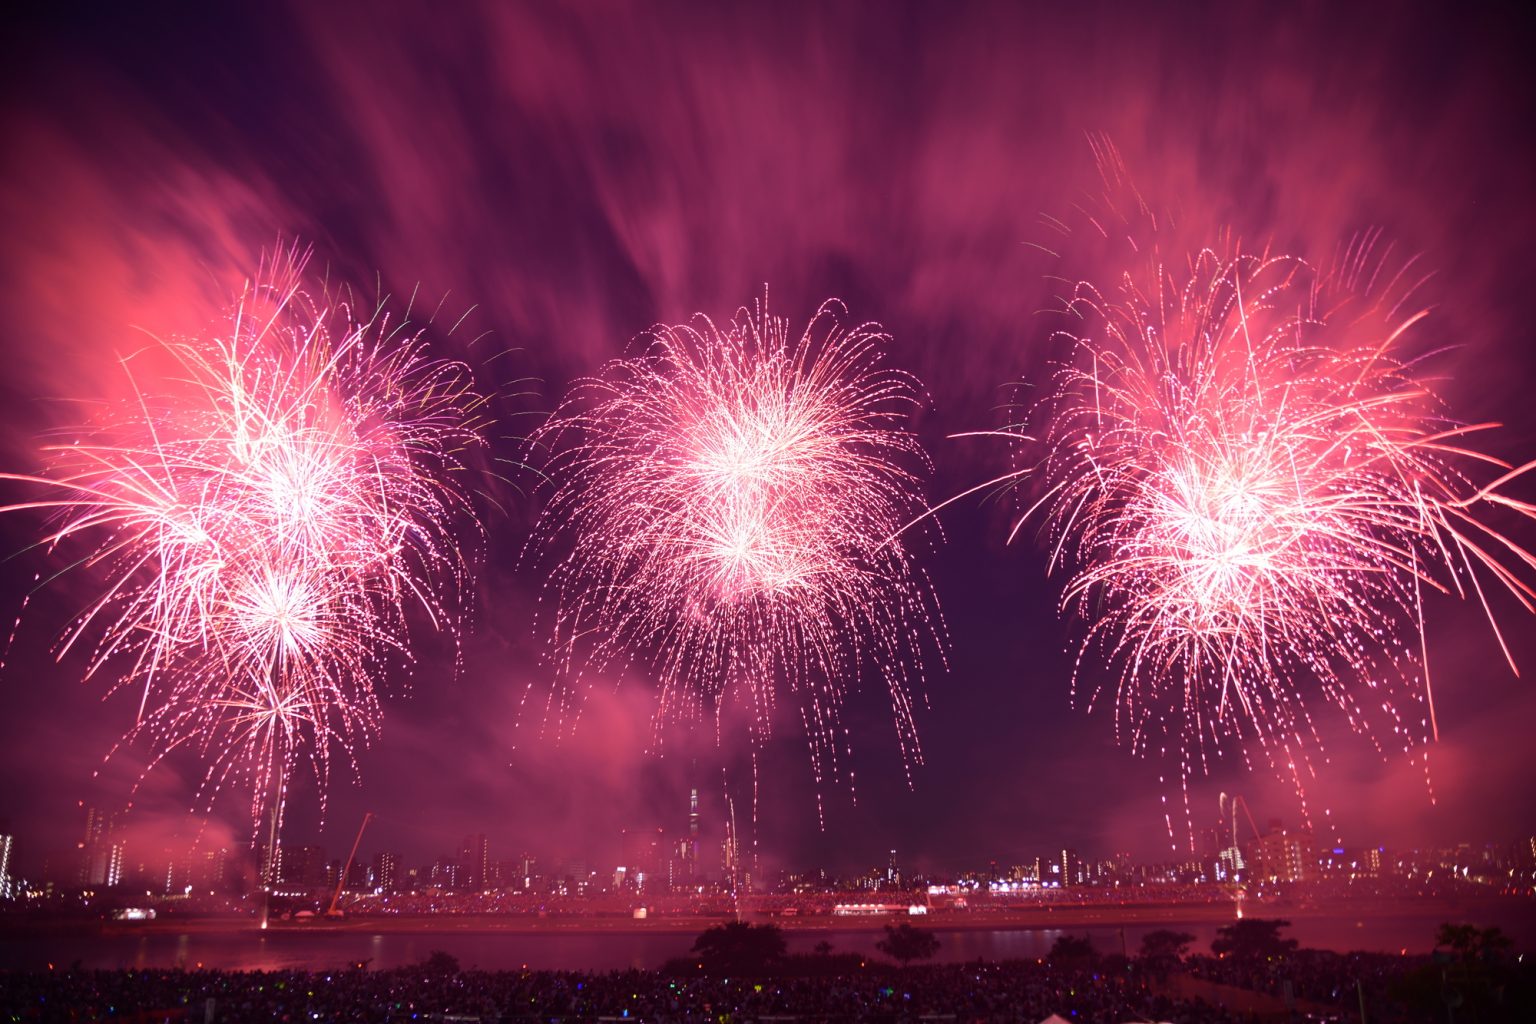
(724, 504)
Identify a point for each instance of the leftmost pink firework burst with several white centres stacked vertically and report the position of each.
(263, 526)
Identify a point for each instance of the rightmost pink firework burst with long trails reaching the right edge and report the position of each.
(1251, 495)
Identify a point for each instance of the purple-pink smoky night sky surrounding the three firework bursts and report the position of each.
(578, 173)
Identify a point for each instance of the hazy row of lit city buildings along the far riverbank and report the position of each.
(650, 864)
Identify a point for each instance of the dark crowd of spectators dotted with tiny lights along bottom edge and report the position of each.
(993, 994)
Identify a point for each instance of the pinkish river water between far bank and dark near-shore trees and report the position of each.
(615, 951)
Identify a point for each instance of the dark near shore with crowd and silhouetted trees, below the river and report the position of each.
(743, 974)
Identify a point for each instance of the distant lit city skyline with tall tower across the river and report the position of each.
(655, 860)
